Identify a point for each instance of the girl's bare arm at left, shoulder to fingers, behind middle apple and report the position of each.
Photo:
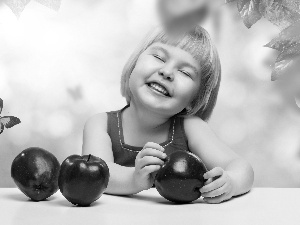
(123, 180)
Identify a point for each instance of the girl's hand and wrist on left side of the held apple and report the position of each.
(147, 163)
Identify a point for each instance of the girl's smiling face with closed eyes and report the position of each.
(165, 79)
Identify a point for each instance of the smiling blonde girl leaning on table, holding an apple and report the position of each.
(171, 86)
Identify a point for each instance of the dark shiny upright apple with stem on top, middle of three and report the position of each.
(83, 179)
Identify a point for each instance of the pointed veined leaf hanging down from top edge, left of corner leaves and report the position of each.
(249, 10)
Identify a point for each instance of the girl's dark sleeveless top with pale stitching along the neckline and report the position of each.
(125, 154)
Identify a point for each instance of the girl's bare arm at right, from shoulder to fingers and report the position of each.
(228, 174)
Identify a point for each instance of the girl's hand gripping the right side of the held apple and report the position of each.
(219, 187)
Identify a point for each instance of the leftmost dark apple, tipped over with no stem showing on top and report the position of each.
(35, 172)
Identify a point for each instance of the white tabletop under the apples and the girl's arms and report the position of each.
(260, 206)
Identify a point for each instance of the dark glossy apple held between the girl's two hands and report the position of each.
(181, 177)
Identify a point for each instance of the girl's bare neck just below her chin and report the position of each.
(143, 119)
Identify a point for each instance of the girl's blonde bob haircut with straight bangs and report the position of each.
(198, 43)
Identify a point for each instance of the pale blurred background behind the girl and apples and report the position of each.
(59, 68)
